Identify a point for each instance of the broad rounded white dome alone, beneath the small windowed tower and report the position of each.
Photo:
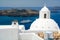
(44, 24)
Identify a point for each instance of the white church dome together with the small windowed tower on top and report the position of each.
(44, 22)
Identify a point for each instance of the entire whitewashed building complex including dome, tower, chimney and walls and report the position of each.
(41, 29)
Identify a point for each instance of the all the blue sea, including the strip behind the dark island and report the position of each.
(7, 20)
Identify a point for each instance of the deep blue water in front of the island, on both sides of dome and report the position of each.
(6, 20)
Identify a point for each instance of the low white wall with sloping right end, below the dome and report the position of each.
(29, 36)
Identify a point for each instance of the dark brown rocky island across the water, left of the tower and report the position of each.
(17, 12)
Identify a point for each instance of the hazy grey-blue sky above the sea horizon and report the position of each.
(28, 3)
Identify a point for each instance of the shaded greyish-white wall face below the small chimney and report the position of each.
(9, 34)
